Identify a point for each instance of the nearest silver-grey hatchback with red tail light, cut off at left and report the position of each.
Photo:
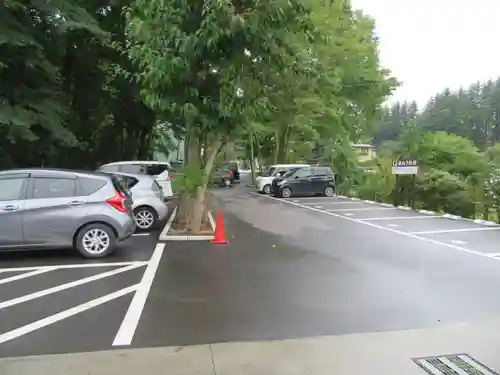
(51, 208)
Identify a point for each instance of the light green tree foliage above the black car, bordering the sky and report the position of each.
(342, 90)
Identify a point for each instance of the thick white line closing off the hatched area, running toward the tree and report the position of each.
(129, 324)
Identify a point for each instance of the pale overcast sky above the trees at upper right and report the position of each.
(433, 44)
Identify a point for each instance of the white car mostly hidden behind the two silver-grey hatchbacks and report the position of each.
(160, 170)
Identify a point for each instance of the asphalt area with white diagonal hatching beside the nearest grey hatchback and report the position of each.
(57, 302)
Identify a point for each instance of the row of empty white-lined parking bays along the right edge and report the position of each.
(462, 235)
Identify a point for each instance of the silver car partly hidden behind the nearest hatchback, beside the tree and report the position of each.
(148, 202)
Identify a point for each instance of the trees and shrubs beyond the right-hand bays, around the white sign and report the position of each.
(455, 139)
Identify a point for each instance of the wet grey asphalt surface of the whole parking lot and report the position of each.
(302, 267)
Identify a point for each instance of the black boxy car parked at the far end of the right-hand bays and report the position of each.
(305, 181)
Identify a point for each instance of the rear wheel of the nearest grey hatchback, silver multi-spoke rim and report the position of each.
(95, 240)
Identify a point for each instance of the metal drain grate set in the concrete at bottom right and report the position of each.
(455, 364)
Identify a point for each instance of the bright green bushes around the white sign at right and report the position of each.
(455, 177)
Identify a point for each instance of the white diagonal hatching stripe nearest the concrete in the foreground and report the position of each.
(10, 335)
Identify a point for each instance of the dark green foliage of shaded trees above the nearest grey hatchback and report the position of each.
(60, 102)
